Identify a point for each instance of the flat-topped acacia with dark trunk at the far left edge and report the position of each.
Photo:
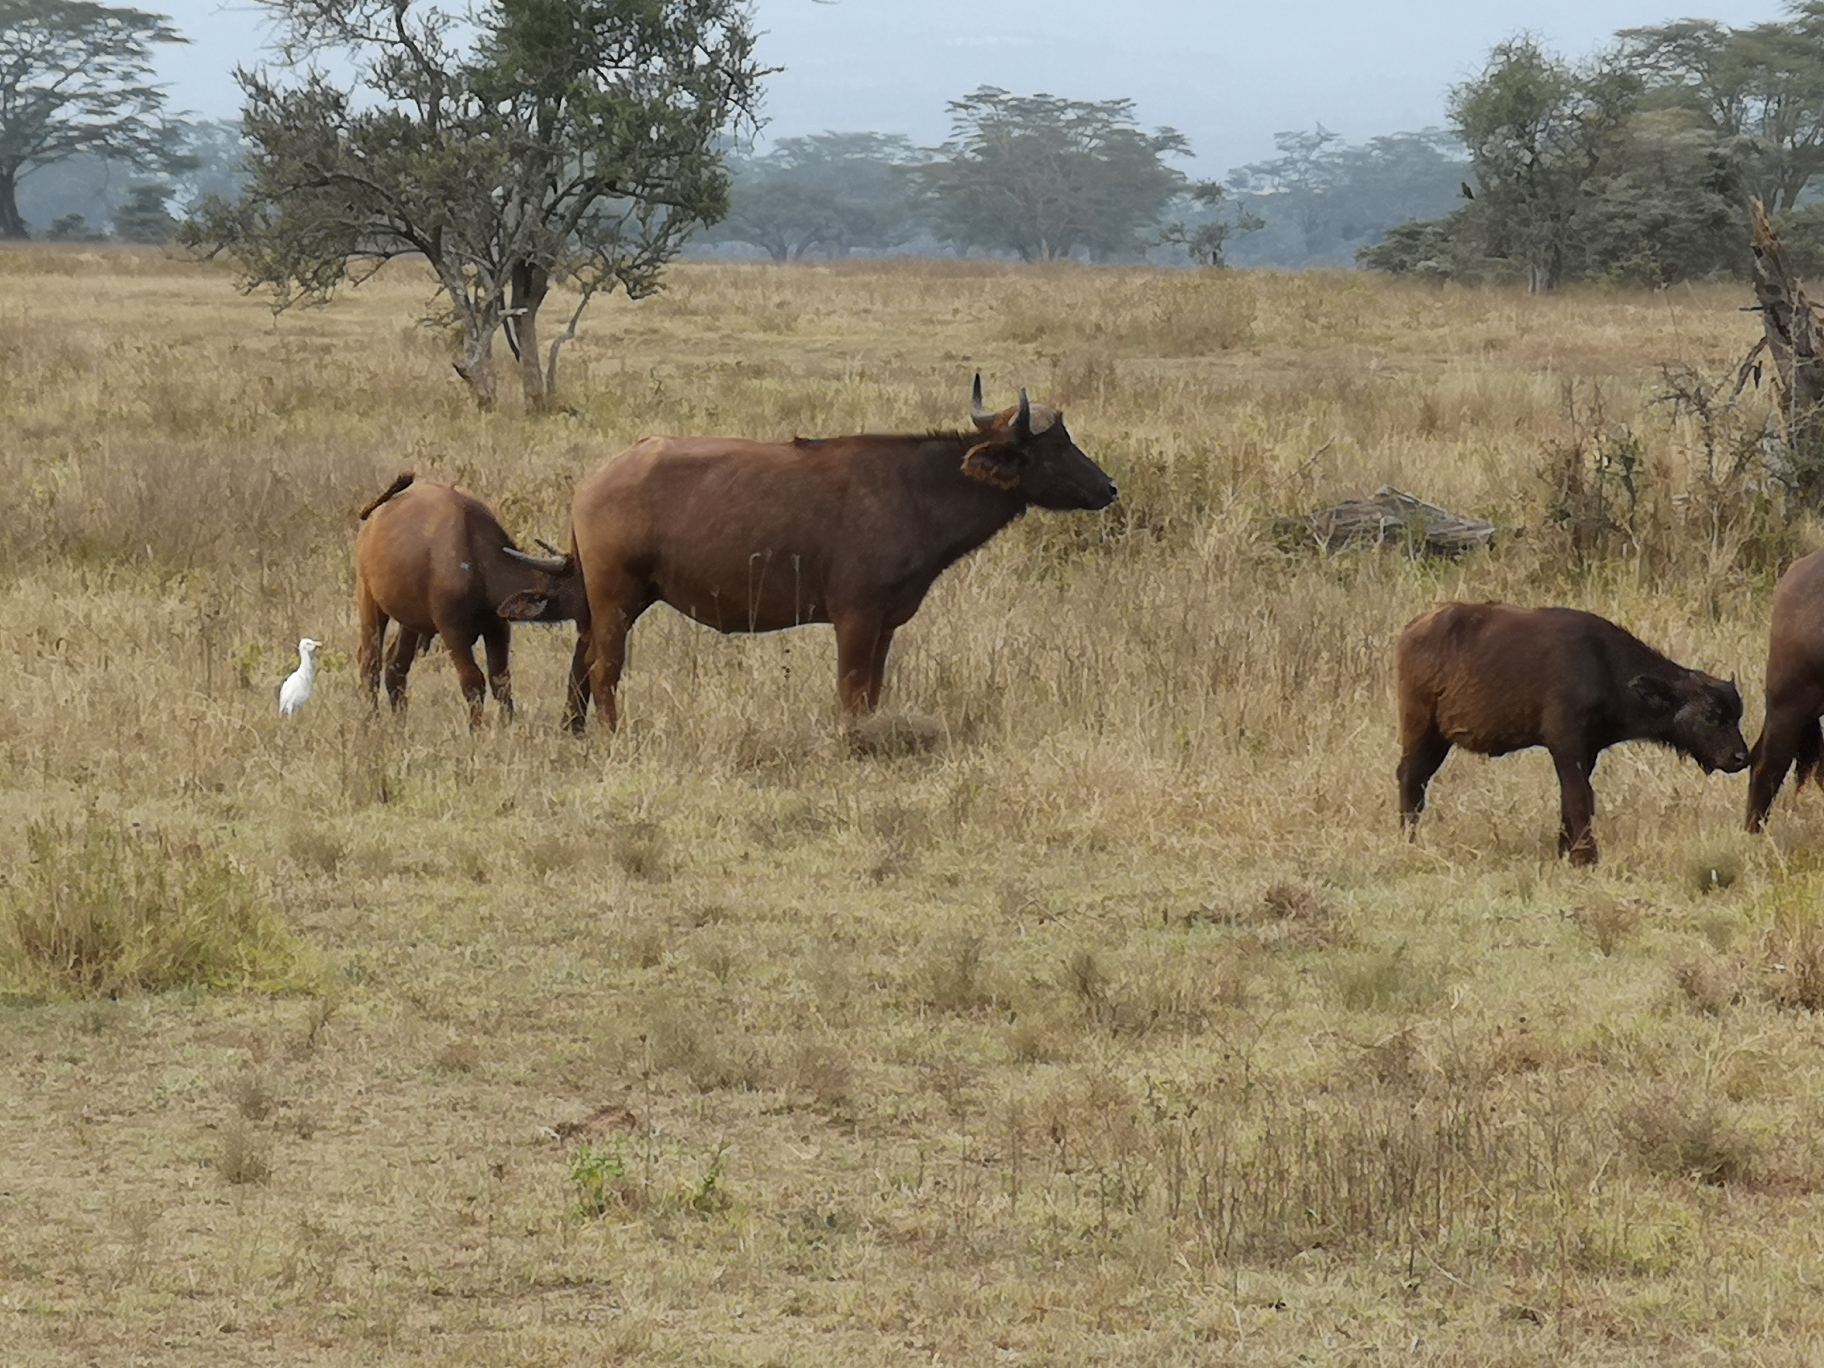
(76, 79)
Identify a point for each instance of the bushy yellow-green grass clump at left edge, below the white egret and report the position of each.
(99, 907)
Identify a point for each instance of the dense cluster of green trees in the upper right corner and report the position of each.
(1635, 165)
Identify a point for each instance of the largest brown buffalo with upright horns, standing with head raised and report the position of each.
(851, 532)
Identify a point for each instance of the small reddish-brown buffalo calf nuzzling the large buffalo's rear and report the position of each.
(439, 563)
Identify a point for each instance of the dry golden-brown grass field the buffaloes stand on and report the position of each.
(1101, 1017)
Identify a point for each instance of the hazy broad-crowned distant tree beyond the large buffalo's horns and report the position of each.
(1042, 176)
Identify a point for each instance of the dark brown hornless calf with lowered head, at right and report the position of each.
(1497, 679)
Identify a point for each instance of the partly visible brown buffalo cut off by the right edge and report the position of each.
(1796, 689)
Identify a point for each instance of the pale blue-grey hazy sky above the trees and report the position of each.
(1228, 76)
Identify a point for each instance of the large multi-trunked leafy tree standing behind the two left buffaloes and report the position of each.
(566, 141)
